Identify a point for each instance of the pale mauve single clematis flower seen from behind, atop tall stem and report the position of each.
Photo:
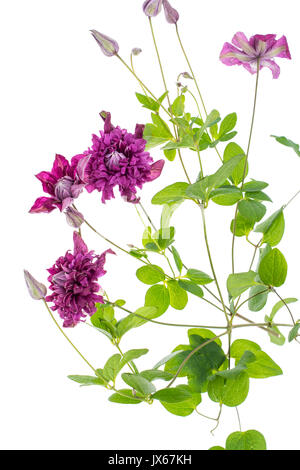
(259, 49)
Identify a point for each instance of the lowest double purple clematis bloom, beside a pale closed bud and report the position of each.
(73, 280)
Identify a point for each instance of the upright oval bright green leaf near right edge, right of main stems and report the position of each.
(273, 268)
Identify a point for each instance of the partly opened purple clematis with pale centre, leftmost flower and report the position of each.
(62, 183)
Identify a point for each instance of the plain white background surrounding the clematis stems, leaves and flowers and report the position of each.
(54, 82)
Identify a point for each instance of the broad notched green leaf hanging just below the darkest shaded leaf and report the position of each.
(231, 391)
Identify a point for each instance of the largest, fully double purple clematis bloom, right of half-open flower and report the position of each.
(118, 158)
